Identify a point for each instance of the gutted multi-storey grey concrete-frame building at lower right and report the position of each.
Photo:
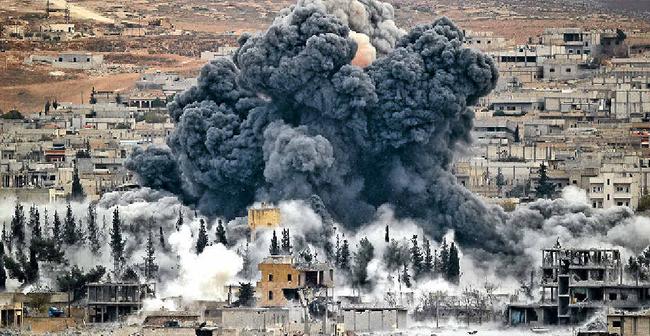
(576, 283)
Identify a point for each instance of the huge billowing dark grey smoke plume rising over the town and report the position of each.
(289, 117)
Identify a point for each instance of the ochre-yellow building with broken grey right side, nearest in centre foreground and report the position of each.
(284, 280)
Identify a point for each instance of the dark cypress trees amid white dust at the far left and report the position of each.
(31, 239)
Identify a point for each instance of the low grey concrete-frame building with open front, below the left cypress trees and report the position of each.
(110, 302)
